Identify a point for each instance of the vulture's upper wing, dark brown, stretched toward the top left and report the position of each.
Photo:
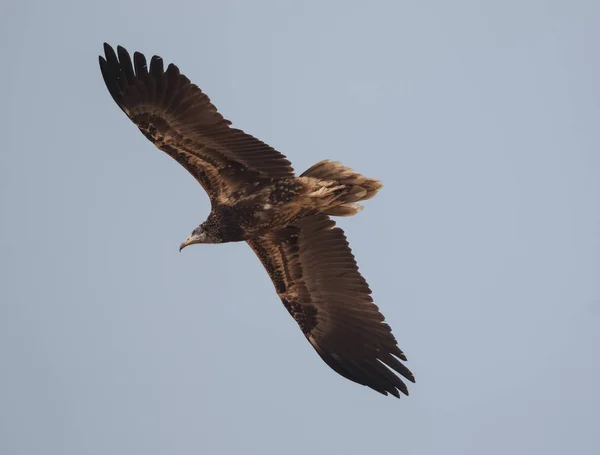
(179, 119)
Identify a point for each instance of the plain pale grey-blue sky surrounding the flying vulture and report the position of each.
(483, 249)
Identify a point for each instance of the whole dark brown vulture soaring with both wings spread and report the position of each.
(256, 198)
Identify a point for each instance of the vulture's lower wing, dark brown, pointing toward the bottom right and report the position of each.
(316, 277)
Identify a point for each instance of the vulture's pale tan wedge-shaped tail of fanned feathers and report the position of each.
(339, 188)
